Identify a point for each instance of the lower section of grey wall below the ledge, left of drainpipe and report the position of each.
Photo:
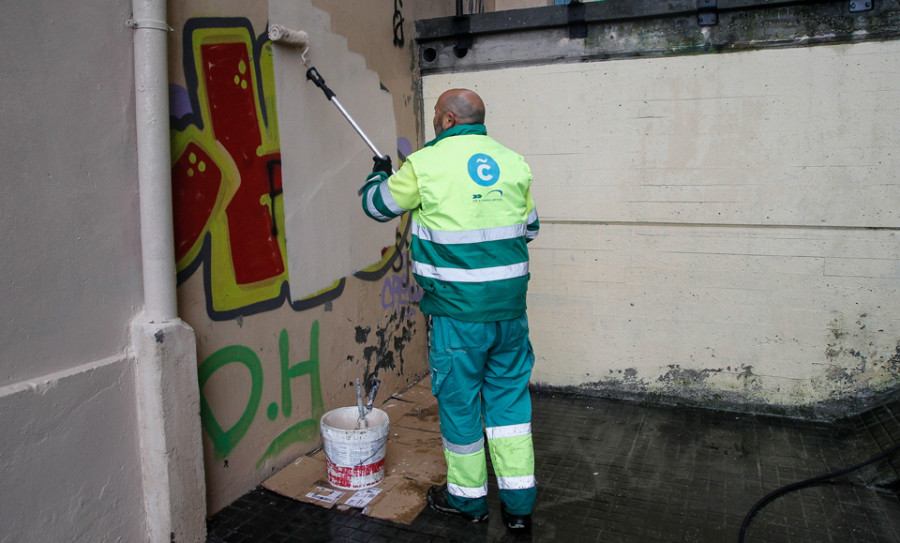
(68, 462)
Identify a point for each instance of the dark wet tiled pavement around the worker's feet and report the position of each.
(614, 471)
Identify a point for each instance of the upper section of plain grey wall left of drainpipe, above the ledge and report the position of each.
(69, 229)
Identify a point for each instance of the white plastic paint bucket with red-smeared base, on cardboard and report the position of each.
(355, 456)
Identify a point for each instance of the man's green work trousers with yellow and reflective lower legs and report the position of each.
(479, 375)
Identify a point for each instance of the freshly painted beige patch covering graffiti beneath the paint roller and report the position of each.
(323, 159)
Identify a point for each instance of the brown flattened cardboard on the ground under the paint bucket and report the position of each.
(414, 461)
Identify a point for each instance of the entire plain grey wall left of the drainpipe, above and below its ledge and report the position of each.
(70, 274)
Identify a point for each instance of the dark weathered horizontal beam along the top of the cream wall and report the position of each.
(644, 28)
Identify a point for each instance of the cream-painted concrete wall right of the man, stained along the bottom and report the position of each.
(715, 226)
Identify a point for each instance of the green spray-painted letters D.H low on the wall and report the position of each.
(225, 440)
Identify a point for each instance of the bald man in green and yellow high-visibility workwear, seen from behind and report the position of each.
(472, 216)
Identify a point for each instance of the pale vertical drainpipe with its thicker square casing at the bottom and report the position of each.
(164, 346)
